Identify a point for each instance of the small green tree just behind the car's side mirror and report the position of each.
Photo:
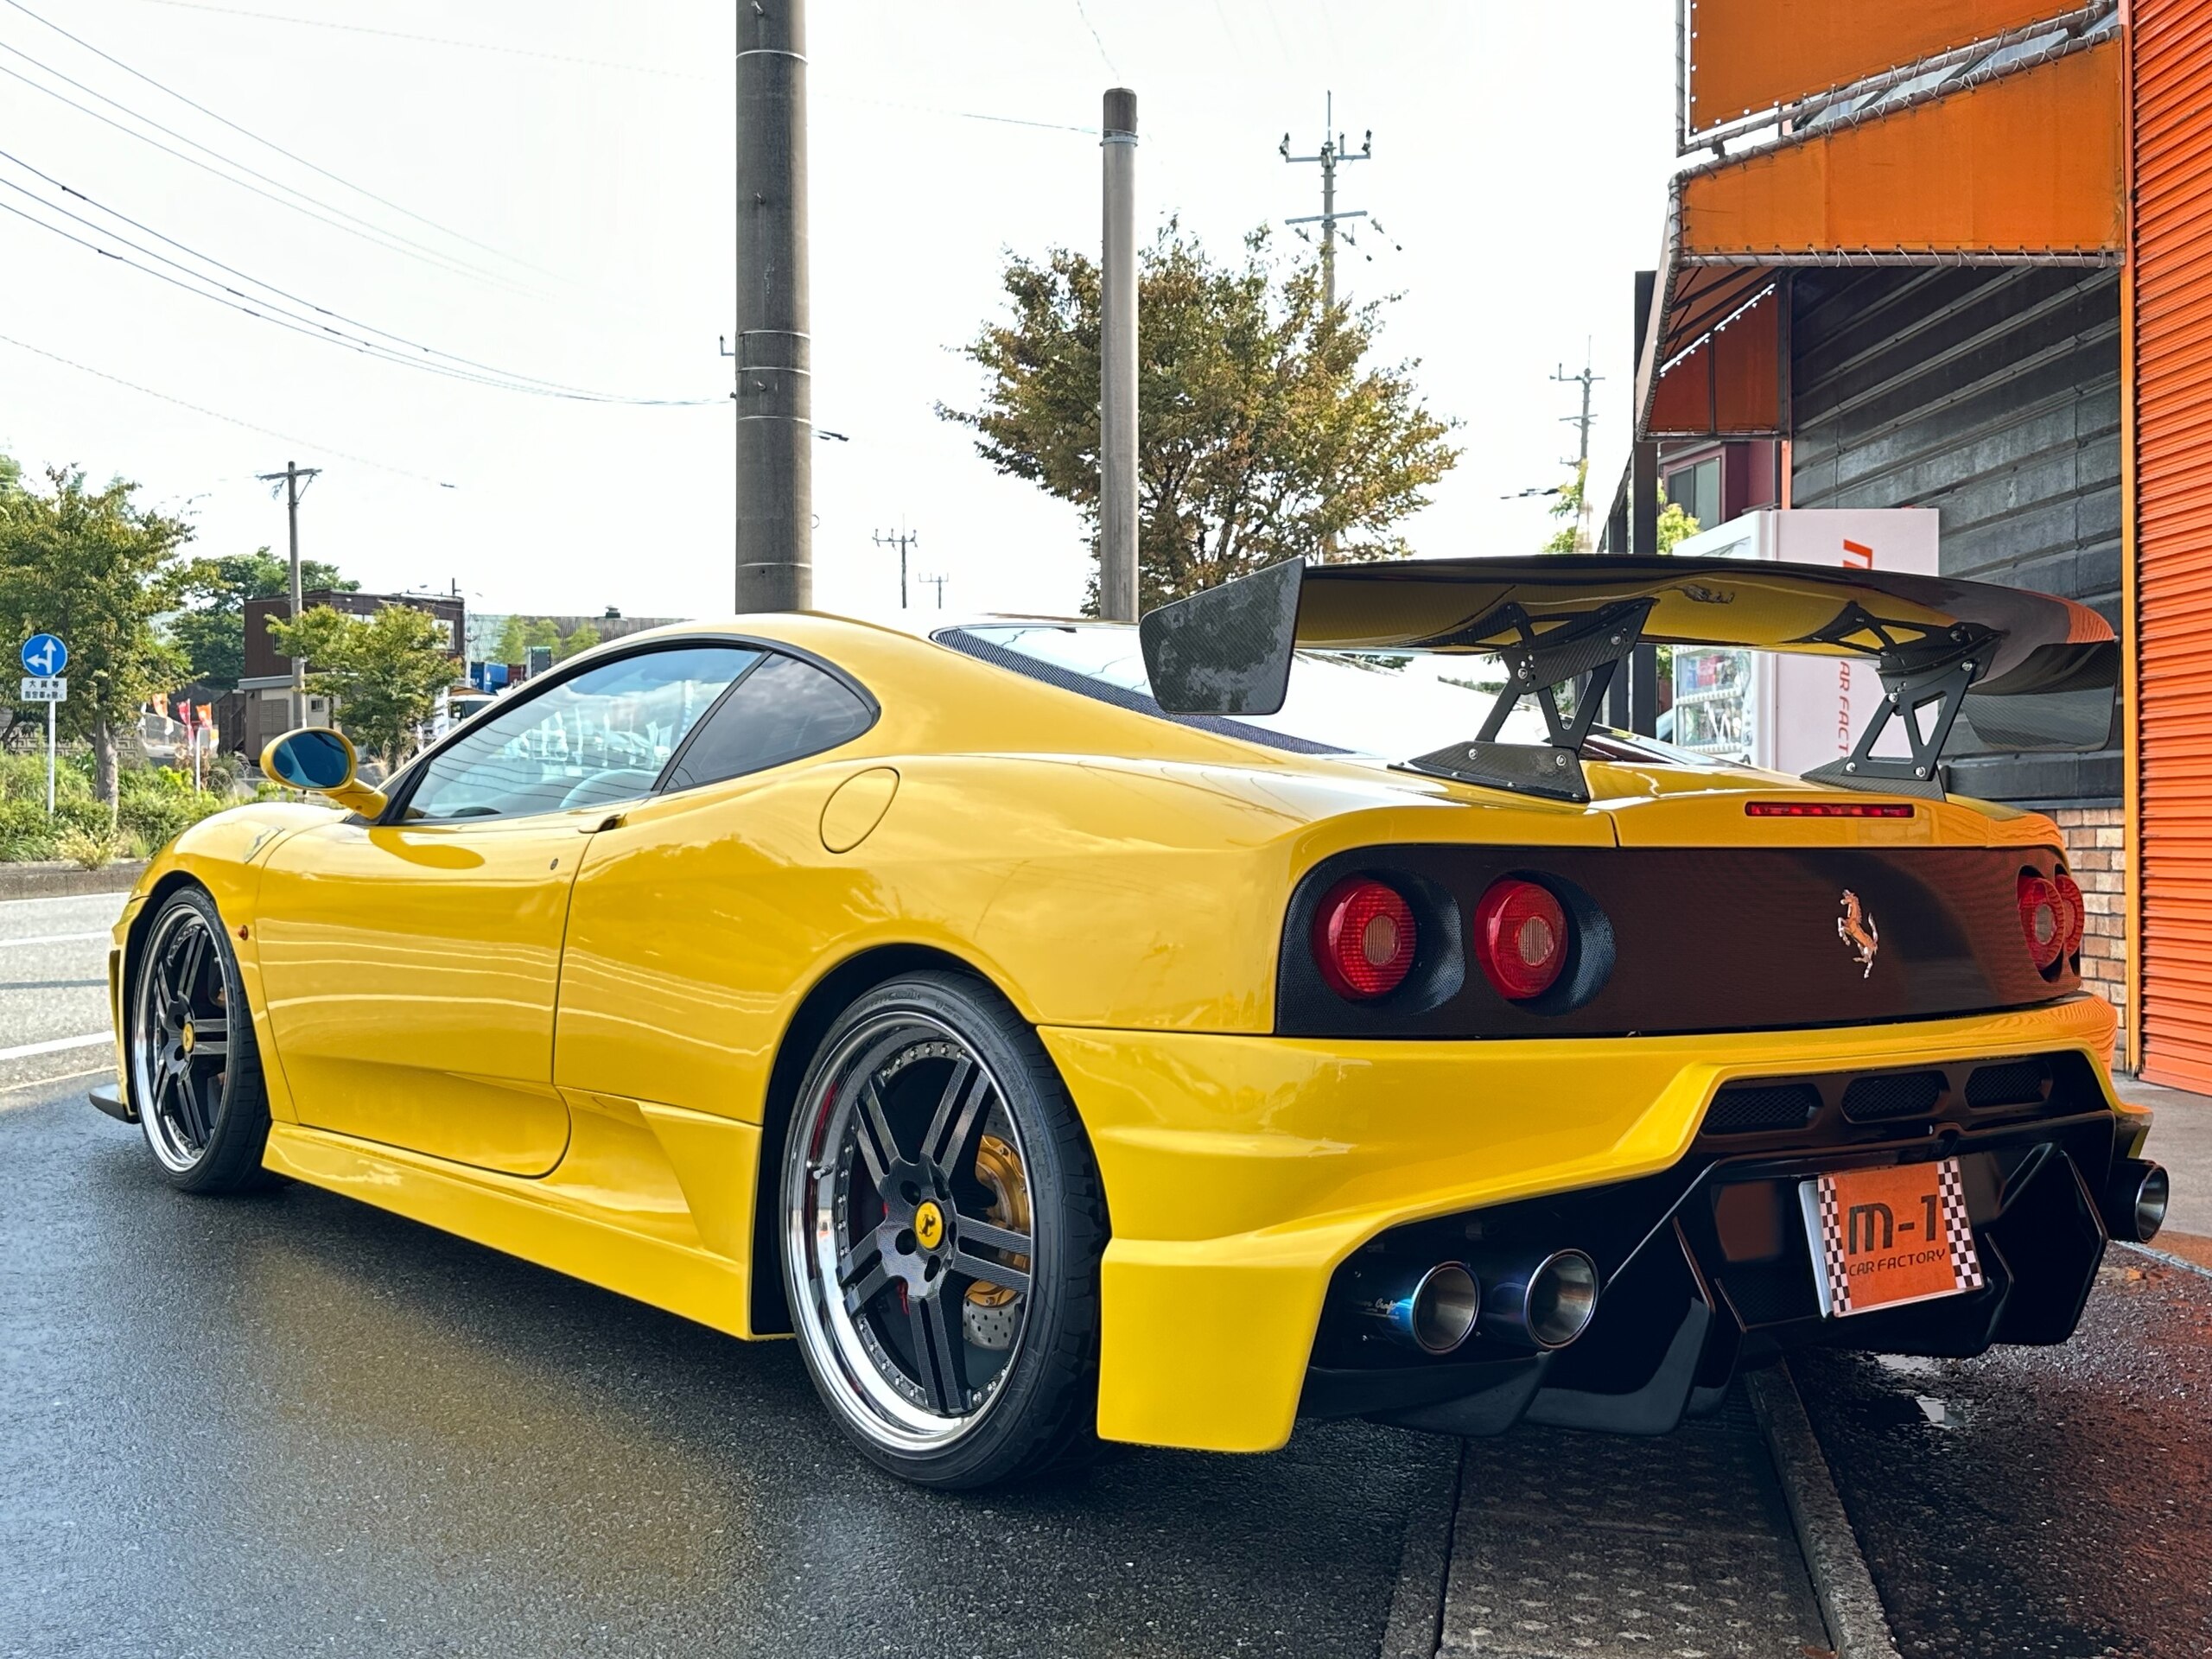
(384, 674)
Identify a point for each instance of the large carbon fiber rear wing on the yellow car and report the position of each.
(1970, 667)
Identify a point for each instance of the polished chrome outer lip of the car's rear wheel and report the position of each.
(839, 1346)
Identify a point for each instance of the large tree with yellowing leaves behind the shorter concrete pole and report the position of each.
(1262, 428)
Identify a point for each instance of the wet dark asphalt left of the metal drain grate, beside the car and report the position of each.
(298, 1426)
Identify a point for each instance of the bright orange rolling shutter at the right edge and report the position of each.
(2173, 470)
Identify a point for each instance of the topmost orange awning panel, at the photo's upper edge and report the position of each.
(1749, 56)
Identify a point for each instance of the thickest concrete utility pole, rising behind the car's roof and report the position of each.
(775, 399)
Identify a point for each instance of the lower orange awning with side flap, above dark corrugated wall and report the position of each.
(2023, 167)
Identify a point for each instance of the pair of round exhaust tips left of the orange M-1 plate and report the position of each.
(1532, 1302)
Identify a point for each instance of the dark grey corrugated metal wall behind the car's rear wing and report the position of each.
(1990, 395)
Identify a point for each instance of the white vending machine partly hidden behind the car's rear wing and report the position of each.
(1795, 713)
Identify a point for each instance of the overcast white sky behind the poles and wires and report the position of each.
(1519, 158)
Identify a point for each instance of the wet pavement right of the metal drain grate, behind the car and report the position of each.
(2041, 1501)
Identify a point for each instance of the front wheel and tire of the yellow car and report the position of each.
(196, 1070)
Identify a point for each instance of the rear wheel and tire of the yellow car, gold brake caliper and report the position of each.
(901, 1317)
